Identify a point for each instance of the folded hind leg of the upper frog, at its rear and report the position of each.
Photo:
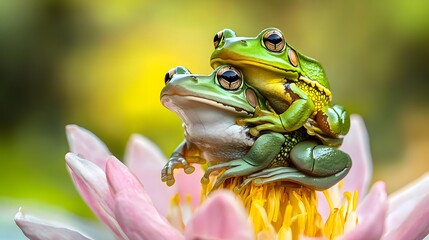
(332, 121)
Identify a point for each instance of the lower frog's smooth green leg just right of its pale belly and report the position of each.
(260, 155)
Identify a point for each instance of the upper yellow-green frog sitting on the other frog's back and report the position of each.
(295, 85)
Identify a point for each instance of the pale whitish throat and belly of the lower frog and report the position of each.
(212, 128)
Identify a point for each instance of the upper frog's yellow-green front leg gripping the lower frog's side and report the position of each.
(294, 117)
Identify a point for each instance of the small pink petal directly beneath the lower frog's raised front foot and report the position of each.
(190, 185)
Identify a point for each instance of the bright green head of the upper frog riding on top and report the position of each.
(267, 51)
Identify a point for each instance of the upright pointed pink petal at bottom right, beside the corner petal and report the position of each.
(372, 213)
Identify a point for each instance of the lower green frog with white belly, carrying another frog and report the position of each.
(209, 106)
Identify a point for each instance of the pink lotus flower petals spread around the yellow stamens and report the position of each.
(115, 193)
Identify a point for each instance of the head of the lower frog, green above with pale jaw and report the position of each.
(223, 93)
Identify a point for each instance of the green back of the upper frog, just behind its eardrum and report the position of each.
(313, 69)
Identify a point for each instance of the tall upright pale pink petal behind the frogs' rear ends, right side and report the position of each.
(356, 144)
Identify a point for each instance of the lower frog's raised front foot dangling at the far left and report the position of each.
(177, 161)
